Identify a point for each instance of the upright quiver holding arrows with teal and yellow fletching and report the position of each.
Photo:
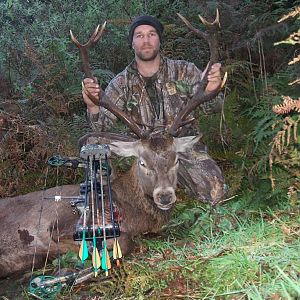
(98, 220)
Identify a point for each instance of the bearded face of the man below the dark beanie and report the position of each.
(146, 42)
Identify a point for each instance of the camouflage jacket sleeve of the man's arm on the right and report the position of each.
(194, 77)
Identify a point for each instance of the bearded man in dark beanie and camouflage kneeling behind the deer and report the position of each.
(152, 90)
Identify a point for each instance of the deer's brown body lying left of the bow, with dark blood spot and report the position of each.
(20, 230)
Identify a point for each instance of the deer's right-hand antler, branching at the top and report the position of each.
(201, 95)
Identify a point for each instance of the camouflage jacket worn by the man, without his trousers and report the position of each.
(152, 101)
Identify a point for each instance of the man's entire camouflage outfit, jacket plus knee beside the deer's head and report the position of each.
(154, 102)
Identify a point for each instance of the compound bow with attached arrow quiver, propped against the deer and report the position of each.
(97, 223)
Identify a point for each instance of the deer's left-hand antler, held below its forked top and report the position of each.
(105, 102)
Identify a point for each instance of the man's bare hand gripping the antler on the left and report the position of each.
(91, 87)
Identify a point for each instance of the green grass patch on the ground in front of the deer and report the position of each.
(235, 252)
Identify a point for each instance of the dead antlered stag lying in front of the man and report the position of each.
(144, 195)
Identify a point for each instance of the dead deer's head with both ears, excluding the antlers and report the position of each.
(157, 164)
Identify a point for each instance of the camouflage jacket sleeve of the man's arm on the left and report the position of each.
(116, 92)
